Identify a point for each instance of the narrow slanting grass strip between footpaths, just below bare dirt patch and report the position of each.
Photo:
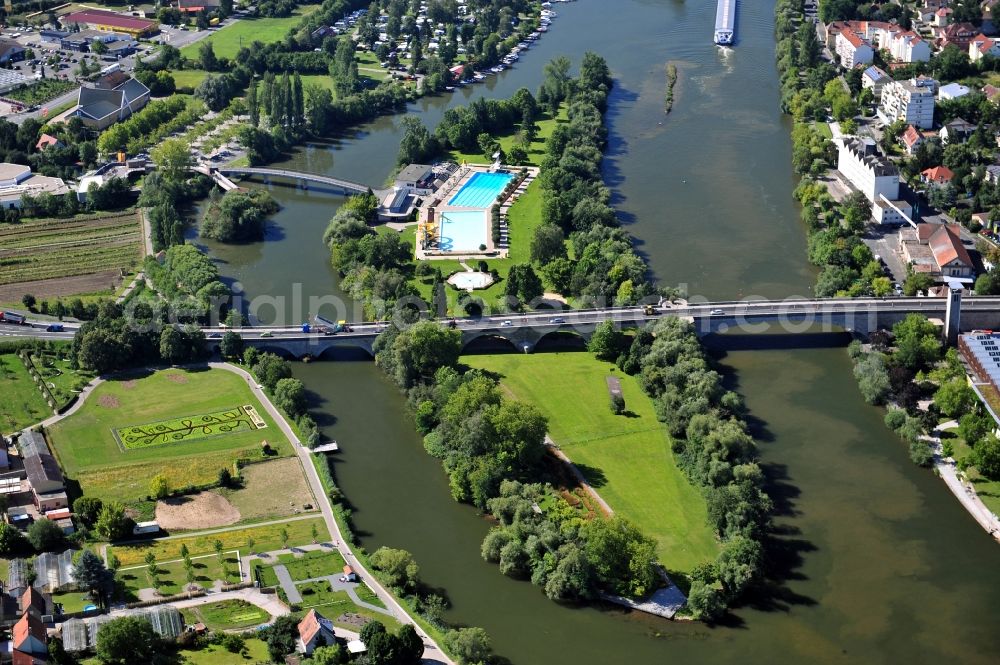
(266, 538)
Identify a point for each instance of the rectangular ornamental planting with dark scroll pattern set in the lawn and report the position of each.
(230, 421)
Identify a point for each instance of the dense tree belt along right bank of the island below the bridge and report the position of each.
(714, 449)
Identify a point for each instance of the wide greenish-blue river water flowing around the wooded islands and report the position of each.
(877, 561)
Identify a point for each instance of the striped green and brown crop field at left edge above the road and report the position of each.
(54, 248)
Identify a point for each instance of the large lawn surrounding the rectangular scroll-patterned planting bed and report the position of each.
(88, 452)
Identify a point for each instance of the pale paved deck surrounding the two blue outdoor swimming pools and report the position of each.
(439, 203)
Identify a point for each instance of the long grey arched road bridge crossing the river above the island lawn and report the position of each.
(523, 331)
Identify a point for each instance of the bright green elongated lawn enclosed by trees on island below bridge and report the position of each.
(626, 458)
